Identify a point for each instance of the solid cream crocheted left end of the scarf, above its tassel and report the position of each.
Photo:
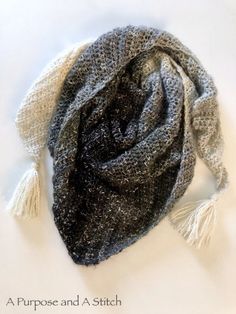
(36, 109)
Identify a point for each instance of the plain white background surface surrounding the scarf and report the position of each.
(160, 274)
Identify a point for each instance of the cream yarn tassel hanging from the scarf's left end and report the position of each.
(25, 201)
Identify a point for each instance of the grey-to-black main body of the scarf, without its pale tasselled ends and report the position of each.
(123, 152)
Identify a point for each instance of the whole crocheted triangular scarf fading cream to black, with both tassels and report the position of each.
(123, 118)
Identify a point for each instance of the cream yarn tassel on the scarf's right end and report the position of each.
(196, 221)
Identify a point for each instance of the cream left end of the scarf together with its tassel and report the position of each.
(32, 122)
